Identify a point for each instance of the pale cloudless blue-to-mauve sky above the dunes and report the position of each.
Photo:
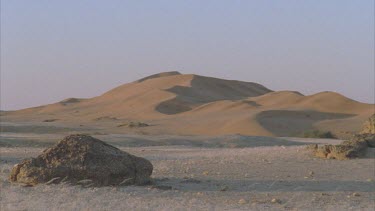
(52, 50)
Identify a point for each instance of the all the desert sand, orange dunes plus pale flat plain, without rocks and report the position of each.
(215, 145)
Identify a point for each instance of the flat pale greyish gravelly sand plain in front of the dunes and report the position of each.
(230, 172)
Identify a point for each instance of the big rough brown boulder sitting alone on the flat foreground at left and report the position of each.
(83, 158)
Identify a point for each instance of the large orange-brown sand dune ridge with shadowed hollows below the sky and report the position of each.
(175, 103)
